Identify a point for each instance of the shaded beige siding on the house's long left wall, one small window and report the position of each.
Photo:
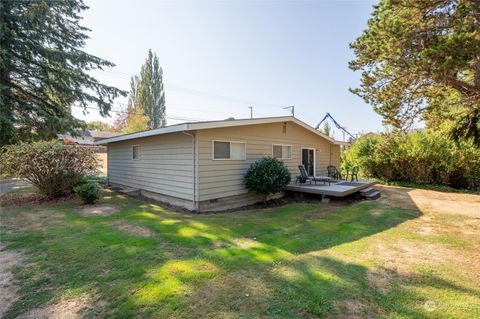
(165, 165)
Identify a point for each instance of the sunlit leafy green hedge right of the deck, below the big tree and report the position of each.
(421, 157)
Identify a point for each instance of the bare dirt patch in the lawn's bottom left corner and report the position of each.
(8, 288)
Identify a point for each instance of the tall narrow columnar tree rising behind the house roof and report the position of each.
(147, 93)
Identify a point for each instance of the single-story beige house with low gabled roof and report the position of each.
(200, 166)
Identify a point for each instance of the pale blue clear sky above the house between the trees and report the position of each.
(219, 58)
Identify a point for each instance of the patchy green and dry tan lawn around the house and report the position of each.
(394, 258)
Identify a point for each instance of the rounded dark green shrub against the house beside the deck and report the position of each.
(267, 176)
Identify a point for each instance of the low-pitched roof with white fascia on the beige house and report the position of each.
(192, 126)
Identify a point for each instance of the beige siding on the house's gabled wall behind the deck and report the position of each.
(222, 178)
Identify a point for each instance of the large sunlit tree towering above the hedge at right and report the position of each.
(415, 56)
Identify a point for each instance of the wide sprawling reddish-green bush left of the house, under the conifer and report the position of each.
(52, 167)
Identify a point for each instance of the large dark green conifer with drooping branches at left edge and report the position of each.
(43, 69)
